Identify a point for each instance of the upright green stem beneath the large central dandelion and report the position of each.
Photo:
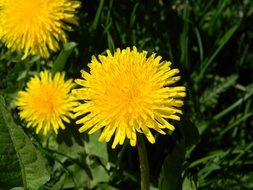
(143, 159)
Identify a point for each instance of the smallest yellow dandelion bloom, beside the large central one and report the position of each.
(46, 102)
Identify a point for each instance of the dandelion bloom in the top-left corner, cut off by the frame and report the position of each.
(36, 26)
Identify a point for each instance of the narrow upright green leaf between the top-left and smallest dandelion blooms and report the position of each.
(62, 58)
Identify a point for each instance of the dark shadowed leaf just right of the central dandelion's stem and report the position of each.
(170, 176)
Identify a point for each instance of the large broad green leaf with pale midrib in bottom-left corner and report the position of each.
(20, 163)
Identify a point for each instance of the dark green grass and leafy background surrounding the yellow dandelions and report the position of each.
(211, 42)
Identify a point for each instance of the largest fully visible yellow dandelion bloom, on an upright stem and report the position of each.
(126, 93)
